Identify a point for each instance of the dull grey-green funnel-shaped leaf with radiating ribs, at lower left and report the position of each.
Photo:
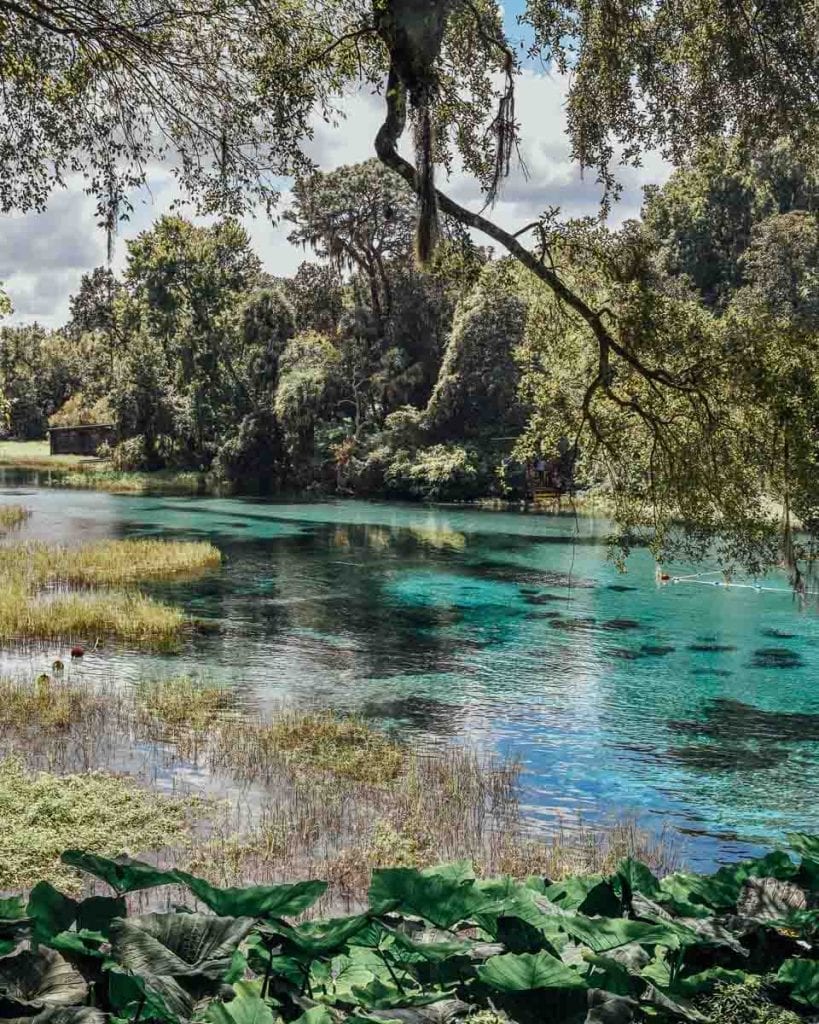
(179, 945)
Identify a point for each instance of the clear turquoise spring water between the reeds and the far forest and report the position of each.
(686, 704)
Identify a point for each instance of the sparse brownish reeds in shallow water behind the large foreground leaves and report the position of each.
(306, 794)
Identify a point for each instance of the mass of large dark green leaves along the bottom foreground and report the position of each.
(432, 946)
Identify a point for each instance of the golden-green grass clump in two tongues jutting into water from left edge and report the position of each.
(36, 603)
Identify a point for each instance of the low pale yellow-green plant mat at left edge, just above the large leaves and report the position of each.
(42, 814)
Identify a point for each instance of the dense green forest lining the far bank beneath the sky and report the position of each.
(367, 373)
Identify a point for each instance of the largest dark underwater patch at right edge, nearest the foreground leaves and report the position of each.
(732, 720)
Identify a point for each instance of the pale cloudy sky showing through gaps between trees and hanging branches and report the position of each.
(44, 257)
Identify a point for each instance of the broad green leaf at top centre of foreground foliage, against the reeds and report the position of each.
(445, 897)
